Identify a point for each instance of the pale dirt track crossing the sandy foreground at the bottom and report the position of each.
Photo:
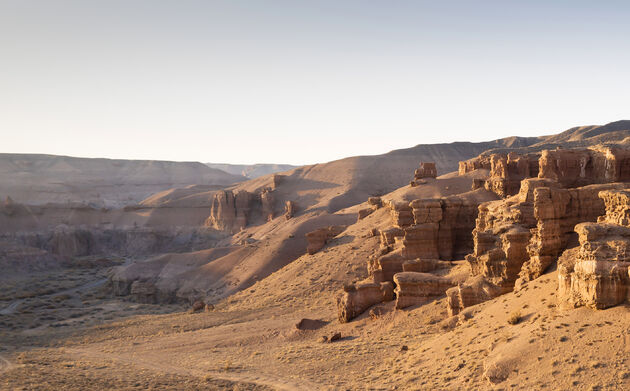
(266, 379)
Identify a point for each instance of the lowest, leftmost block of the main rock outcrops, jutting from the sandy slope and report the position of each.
(357, 298)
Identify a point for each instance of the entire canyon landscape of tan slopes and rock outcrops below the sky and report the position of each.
(445, 266)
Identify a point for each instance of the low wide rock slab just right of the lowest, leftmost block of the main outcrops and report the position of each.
(417, 288)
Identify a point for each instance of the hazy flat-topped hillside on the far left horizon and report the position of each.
(39, 179)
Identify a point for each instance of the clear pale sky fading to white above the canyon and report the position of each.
(301, 82)
